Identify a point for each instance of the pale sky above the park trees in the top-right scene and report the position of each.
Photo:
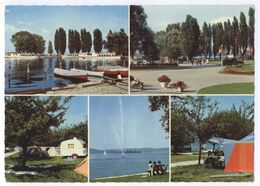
(159, 16)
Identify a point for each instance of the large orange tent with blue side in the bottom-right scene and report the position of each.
(239, 155)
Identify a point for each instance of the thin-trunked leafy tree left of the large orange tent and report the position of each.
(197, 110)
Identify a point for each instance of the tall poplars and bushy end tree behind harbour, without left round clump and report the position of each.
(82, 41)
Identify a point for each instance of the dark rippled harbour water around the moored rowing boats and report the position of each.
(41, 74)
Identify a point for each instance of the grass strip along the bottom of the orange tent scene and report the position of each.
(199, 173)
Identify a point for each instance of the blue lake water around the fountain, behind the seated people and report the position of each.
(114, 165)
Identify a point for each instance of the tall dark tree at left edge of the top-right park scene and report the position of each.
(141, 36)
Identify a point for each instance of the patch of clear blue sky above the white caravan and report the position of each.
(77, 110)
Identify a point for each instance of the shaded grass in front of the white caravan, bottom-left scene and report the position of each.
(62, 172)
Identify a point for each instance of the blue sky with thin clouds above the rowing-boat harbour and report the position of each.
(44, 20)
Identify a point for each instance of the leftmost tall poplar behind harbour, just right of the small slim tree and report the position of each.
(60, 41)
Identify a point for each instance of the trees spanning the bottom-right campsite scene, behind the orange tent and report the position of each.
(200, 118)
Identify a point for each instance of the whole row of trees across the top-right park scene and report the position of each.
(187, 39)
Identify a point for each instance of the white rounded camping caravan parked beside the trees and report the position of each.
(73, 148)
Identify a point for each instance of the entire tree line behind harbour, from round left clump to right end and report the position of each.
(75, 41)
